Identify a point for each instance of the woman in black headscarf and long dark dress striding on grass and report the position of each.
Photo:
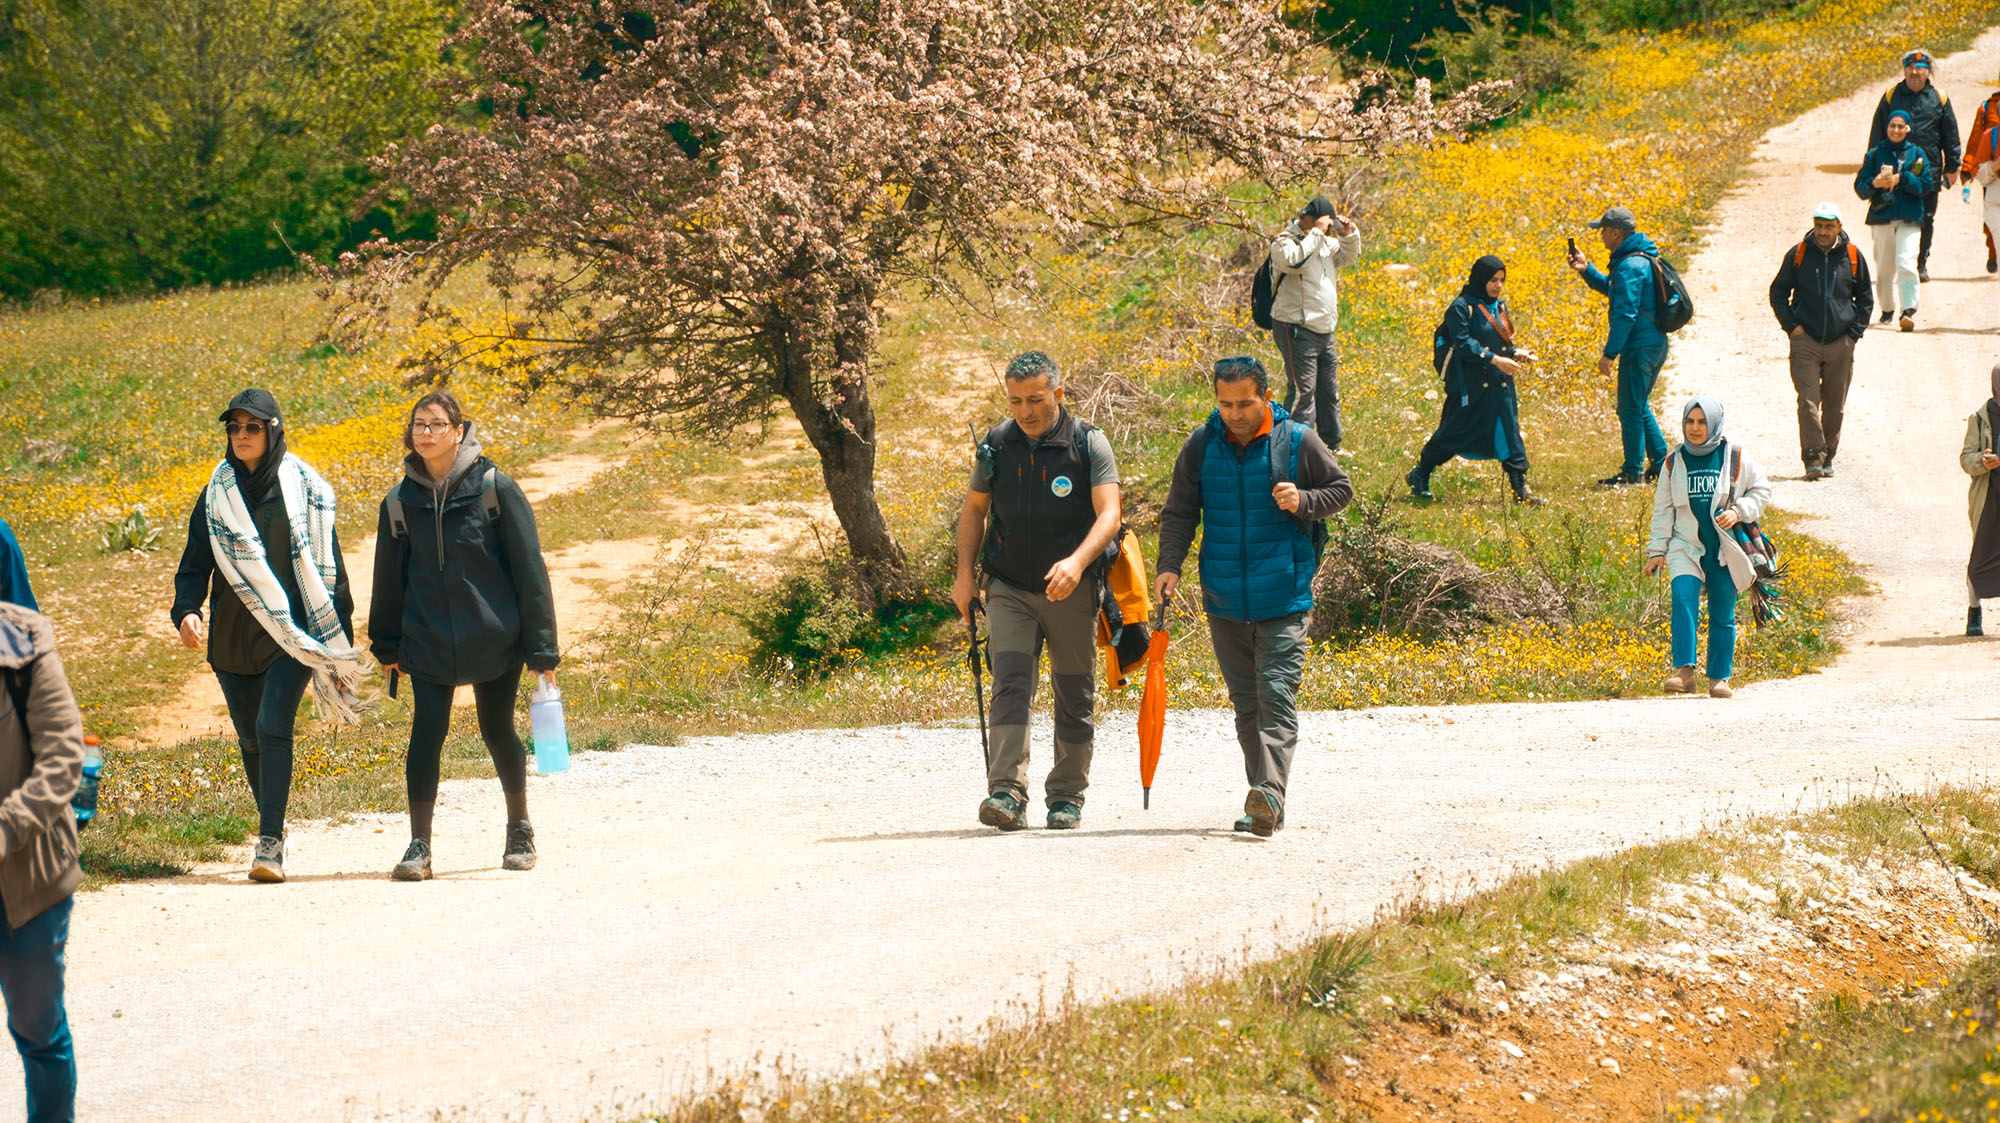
(1481, 405)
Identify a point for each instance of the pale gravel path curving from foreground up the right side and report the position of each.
(821, 898)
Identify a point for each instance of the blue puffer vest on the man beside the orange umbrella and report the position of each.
(1257, 561)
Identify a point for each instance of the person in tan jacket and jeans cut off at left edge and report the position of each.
(41, 766)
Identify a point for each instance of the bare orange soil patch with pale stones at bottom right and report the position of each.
(1627, 1032)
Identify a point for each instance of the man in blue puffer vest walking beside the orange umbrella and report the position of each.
(1259, 485)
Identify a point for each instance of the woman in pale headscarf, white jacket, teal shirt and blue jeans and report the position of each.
(1709, 487)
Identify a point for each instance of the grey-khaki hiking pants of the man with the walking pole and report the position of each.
(1019, 626)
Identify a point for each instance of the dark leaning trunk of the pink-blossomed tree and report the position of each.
(839, 421)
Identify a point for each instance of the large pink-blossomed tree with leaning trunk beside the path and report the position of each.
(697, 211)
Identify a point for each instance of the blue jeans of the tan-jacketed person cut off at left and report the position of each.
(31, 978)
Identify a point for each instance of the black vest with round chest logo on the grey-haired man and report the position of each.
(1041, 509)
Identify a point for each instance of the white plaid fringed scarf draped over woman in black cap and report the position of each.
(245, 564)
